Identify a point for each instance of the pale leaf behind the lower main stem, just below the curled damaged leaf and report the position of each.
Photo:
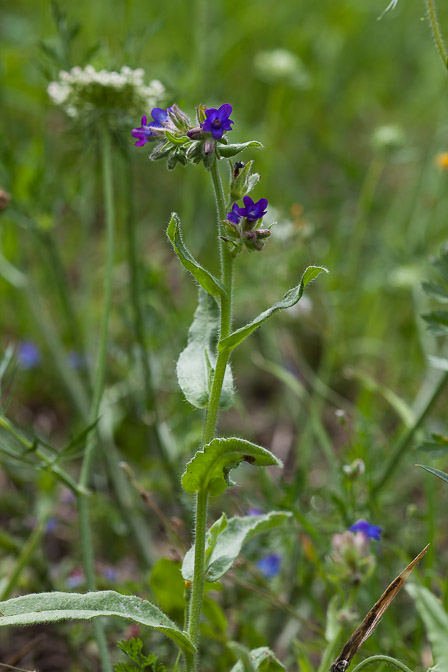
(228, 543)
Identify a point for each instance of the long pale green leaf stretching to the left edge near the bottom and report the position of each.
(57, 606)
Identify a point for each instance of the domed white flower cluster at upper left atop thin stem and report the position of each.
(85, 89)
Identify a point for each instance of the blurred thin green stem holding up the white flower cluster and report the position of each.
(98, 389)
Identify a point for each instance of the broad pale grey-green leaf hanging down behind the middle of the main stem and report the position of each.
(196, 363)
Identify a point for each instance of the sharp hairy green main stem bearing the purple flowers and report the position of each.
(226, 260)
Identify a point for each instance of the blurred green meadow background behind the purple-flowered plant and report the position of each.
(352, 113)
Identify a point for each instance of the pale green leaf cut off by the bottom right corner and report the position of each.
(435, 619)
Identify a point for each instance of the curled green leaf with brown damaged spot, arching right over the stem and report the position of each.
(209, 469)
